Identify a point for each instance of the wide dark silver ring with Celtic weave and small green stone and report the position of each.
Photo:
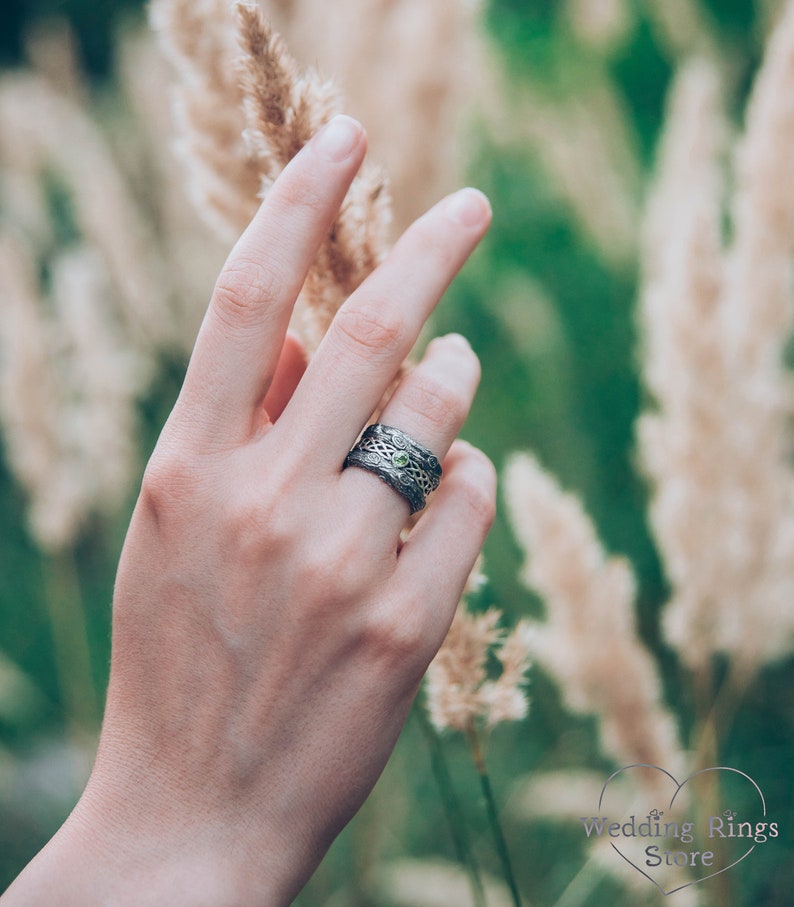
(396, 459)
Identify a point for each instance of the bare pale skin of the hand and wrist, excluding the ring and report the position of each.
(269, 628)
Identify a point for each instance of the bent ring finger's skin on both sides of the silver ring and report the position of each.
(430, 405)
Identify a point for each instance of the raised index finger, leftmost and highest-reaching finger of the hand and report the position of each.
(238, 346)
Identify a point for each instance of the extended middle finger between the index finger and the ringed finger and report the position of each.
(376, 328)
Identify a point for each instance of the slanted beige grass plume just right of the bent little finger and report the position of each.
(588, 641)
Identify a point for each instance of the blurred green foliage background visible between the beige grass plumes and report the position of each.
(553, 320)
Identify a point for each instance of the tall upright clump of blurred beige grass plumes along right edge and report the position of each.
(716, 321)
